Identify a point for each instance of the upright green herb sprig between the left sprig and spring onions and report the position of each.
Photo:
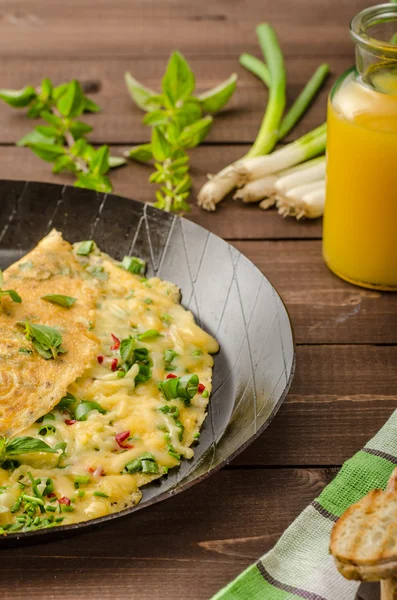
(177, 120)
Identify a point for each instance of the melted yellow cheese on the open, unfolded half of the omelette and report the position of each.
(127, 306)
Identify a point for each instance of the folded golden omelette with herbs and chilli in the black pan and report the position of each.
(131, 410)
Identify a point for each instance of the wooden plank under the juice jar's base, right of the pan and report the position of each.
(323, 308)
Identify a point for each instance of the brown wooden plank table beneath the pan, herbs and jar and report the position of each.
(346, 381)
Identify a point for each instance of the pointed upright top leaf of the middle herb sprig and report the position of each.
(178, 82)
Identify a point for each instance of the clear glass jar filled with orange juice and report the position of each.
(360, 218)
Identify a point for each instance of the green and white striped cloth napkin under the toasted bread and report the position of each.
(299, 566)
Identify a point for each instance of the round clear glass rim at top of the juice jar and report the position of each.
(364, 19)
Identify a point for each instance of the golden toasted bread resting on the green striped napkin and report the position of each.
(364, 539)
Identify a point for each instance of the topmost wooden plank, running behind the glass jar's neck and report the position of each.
(135, 29)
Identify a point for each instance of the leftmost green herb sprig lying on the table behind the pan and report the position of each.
(62, 140)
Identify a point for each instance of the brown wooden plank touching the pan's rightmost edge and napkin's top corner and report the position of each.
(340, 397)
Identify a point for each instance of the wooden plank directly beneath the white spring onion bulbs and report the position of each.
(232, 220)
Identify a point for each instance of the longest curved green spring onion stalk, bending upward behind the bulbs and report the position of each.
(268, 133)
